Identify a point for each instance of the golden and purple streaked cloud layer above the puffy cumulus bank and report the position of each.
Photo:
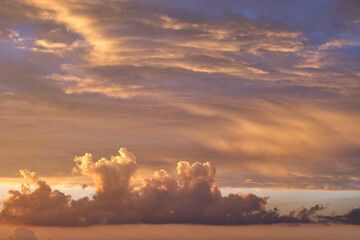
(266, 92)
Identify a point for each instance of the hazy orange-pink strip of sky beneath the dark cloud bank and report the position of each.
(180, 232)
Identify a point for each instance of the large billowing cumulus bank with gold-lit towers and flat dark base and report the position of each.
(193, 198)
